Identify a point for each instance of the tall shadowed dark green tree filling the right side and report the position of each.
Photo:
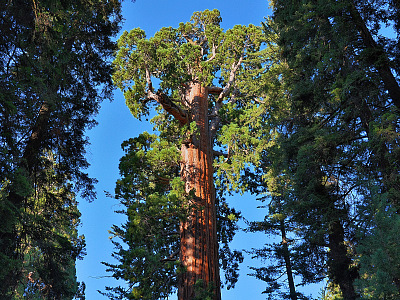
(339, 140)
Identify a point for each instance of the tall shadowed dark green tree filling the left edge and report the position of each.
(53, 75)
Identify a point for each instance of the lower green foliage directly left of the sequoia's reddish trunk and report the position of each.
(154, 197)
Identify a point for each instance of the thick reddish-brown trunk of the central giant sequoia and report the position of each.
(199, 248)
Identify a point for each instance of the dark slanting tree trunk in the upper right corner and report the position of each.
(382, 66)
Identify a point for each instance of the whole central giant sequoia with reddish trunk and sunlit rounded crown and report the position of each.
(207, 82)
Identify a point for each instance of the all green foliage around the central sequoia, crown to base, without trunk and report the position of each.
(233, 65)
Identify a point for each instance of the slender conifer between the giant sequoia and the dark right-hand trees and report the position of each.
(287, 254)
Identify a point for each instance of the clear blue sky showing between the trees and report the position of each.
(116, 124)
